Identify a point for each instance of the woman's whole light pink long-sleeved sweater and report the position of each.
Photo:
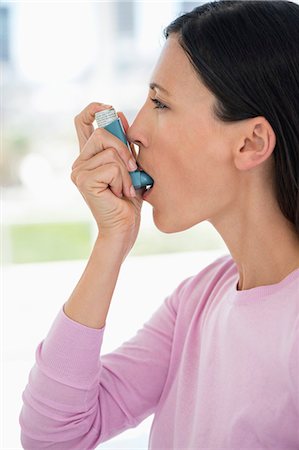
(218, 367)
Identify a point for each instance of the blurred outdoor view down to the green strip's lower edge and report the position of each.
(55, 59)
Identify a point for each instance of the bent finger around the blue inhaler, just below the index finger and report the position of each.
(100, 140)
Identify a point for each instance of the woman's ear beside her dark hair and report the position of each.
(256, 144)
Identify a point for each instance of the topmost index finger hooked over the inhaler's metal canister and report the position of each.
(84, 122)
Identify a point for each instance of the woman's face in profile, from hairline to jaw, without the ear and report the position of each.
(182, 146)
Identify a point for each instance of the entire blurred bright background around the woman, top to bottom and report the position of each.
(55, 58)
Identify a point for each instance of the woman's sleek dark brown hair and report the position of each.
(247, 55)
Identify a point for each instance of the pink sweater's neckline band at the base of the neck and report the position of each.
(262, 291)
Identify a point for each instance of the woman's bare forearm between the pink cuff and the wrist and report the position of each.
(90, 301)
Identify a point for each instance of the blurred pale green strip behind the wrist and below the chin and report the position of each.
(42, 242)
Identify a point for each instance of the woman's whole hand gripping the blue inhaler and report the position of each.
(101, 173)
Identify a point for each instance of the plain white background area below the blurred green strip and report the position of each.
(34, 293)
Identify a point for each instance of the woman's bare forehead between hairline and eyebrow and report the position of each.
(175, 72)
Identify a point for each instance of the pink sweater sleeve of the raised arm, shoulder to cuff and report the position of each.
(76, 399)
